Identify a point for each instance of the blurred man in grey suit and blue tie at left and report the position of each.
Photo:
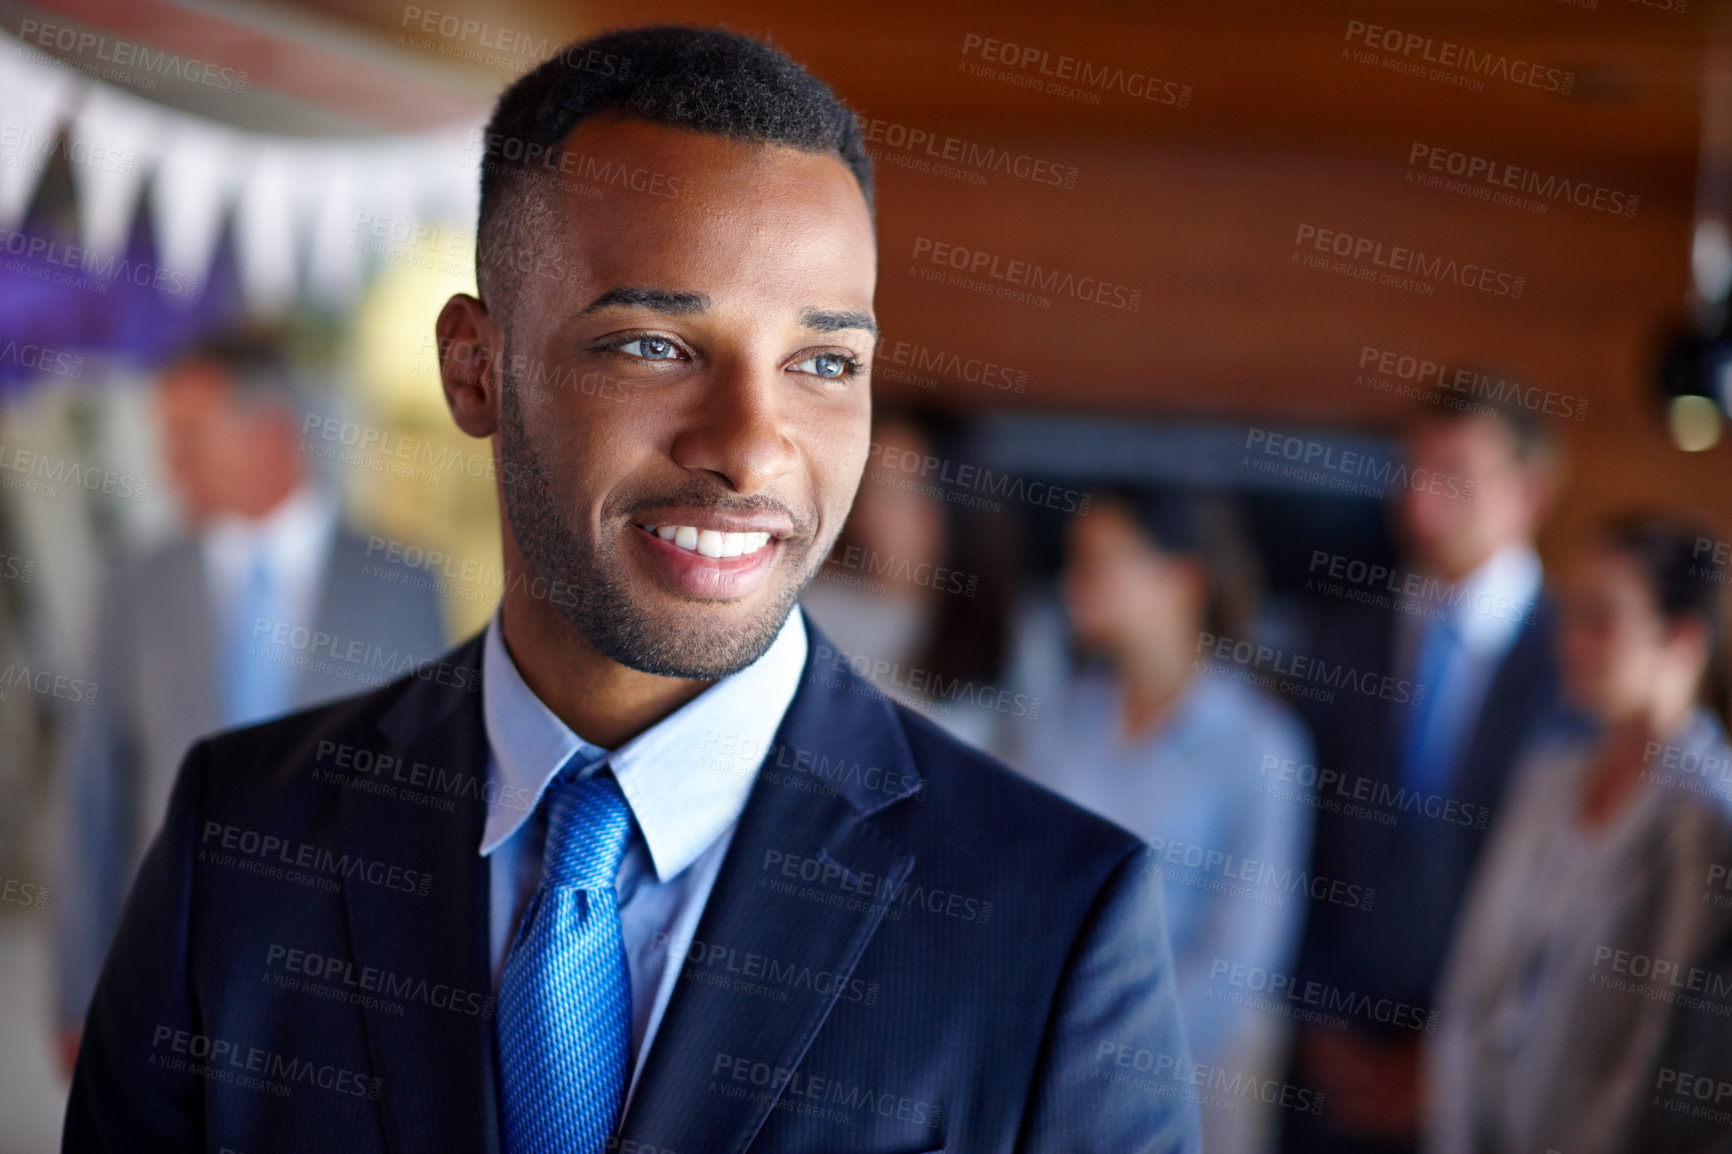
(268, 606)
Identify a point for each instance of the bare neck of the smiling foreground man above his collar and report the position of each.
(604, 703)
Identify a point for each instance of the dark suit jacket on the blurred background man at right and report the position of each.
(1421, 867)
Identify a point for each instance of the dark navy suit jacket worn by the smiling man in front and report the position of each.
(908, 949)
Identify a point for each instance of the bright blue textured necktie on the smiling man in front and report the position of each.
(565, 999)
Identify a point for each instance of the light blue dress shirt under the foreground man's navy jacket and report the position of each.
(687, 781)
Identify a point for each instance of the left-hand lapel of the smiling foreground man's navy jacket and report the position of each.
(437, 1065)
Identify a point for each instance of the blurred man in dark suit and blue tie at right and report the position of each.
(1475, 644)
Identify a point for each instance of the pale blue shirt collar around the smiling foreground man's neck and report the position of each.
(683, 798)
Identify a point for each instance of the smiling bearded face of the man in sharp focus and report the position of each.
(687, 406)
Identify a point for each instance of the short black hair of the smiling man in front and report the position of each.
(702, 79)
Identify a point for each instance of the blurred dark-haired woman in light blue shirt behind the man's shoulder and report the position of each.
(1179, 756)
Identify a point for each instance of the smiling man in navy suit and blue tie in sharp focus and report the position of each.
(643, 867)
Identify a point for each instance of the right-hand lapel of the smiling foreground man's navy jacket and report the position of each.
(844, 872)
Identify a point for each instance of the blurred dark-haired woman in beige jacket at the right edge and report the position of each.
(1593, 909)
